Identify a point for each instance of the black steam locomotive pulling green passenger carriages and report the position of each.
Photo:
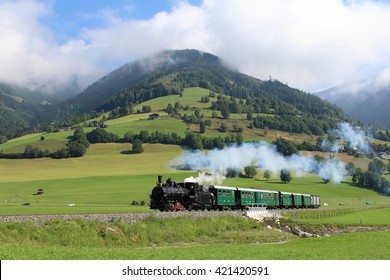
(190, 195)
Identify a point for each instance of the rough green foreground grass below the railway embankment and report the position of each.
(182, 238)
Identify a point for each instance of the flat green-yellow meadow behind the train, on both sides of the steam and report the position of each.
(108, 179)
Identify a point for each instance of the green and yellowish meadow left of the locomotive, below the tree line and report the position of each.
(105, 177)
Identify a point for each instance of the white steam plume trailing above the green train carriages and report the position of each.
(260, 154)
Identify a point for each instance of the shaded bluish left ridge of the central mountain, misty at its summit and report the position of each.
(126, 76)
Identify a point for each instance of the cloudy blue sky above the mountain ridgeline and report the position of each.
(308, 44)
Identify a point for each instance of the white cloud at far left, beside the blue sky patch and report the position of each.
(29, 54)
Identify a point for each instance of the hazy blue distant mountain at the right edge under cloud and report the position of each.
(366, 100)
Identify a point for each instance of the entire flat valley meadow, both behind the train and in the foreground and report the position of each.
(106, 180)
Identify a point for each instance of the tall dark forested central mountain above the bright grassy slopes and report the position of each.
(170, 71)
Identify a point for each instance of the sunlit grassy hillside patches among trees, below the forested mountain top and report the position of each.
(137, 122)
